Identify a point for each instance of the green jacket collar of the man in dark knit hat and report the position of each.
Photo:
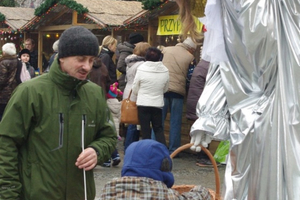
(63, 79)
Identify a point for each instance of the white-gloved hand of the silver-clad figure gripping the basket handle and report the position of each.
(200, 138)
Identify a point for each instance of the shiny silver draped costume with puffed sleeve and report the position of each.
(253, 99)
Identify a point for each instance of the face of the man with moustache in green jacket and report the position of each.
(77, 66)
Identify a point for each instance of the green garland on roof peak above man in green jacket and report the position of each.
(69, 3)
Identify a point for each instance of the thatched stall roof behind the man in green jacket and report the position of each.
(100, 14)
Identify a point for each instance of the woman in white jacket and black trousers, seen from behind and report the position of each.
(150, 84)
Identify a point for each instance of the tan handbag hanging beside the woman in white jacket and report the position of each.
(129, 112)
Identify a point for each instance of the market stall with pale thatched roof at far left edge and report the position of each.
(11, 20)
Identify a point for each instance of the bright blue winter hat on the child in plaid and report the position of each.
(148, 158)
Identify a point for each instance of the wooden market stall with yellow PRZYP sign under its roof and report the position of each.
(163, 22)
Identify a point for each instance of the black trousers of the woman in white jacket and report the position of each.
(151, 115)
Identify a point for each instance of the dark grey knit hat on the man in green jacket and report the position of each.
(77, 41)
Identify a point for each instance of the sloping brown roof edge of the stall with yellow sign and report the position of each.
(142, 18)
